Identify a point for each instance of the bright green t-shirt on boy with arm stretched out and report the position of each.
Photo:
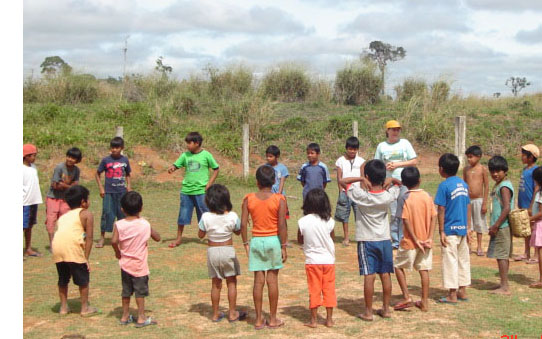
(196, 174)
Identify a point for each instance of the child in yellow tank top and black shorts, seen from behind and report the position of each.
(72, 244)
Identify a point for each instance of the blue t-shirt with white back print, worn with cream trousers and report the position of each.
(453, 194)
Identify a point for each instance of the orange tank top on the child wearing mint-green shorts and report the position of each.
(264, 214)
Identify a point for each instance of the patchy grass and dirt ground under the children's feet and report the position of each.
(180, 288)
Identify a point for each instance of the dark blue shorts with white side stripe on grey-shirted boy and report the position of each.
(375, 257)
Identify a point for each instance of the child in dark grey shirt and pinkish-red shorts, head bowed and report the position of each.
(65, 175)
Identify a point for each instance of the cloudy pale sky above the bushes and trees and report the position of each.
(473, 44)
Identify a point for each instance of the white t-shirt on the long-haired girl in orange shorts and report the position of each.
(317, 243)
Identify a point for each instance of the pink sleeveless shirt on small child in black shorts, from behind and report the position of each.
(133, 236)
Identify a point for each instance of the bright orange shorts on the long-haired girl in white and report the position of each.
(321, 281)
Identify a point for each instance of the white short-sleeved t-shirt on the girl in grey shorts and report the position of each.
(219, 227)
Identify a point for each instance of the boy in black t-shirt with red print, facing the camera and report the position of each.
(117, 183)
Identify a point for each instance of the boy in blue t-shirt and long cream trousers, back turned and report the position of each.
(454, 213)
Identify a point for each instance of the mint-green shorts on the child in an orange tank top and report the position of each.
(265, 254)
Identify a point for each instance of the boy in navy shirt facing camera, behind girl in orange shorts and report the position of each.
(313, 173)
